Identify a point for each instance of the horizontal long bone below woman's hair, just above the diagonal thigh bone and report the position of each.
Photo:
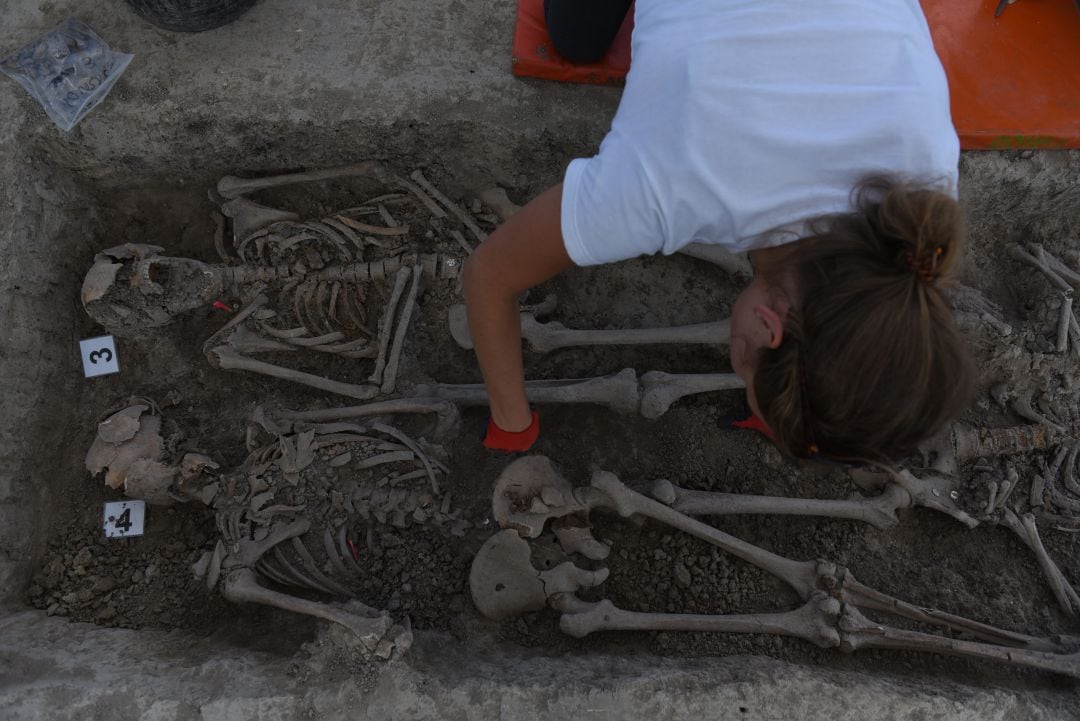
(881, 512)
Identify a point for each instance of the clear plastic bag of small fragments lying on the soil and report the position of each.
(69, 71)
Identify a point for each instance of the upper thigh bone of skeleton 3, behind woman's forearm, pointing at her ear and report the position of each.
(551, 336)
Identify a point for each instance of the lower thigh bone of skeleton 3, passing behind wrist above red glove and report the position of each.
(618, 392)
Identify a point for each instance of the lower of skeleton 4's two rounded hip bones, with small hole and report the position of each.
(505, 583)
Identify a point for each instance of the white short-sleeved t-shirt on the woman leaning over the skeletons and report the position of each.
(745, 117)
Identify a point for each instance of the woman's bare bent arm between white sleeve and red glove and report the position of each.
(523, 253)
